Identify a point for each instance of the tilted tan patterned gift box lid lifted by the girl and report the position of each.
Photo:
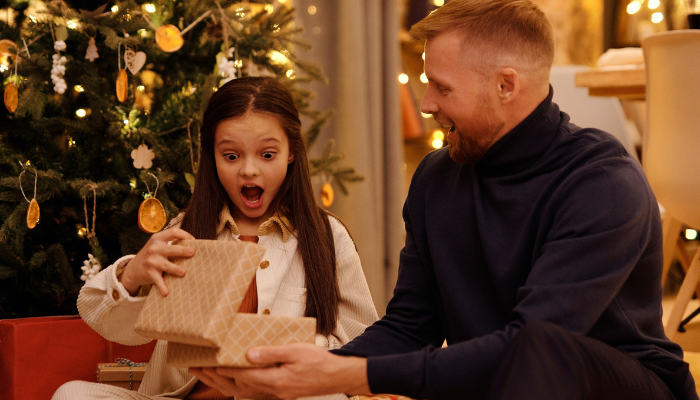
(200, 306)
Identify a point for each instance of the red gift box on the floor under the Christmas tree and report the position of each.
(37, 355)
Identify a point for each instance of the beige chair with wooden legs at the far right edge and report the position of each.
(671, 146)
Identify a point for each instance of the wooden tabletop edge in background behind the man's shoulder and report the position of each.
(627, 84)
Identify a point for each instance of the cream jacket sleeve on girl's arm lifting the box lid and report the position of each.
(106, 306)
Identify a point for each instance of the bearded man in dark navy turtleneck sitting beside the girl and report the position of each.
(533, 246)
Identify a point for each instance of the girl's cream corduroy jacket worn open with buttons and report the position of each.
(107, 307)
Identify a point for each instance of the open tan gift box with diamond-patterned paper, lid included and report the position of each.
(199, 317)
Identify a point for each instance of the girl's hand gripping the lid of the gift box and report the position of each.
(153, 260)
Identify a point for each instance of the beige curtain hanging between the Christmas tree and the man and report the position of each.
(356, 42)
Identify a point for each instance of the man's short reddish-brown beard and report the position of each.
(469, 147)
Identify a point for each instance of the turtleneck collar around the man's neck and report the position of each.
(524, 144)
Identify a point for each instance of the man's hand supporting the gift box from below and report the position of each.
(301, 370)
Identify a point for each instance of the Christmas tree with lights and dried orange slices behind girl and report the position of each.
(103, 113)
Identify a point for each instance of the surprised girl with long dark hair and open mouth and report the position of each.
(252, 184)
